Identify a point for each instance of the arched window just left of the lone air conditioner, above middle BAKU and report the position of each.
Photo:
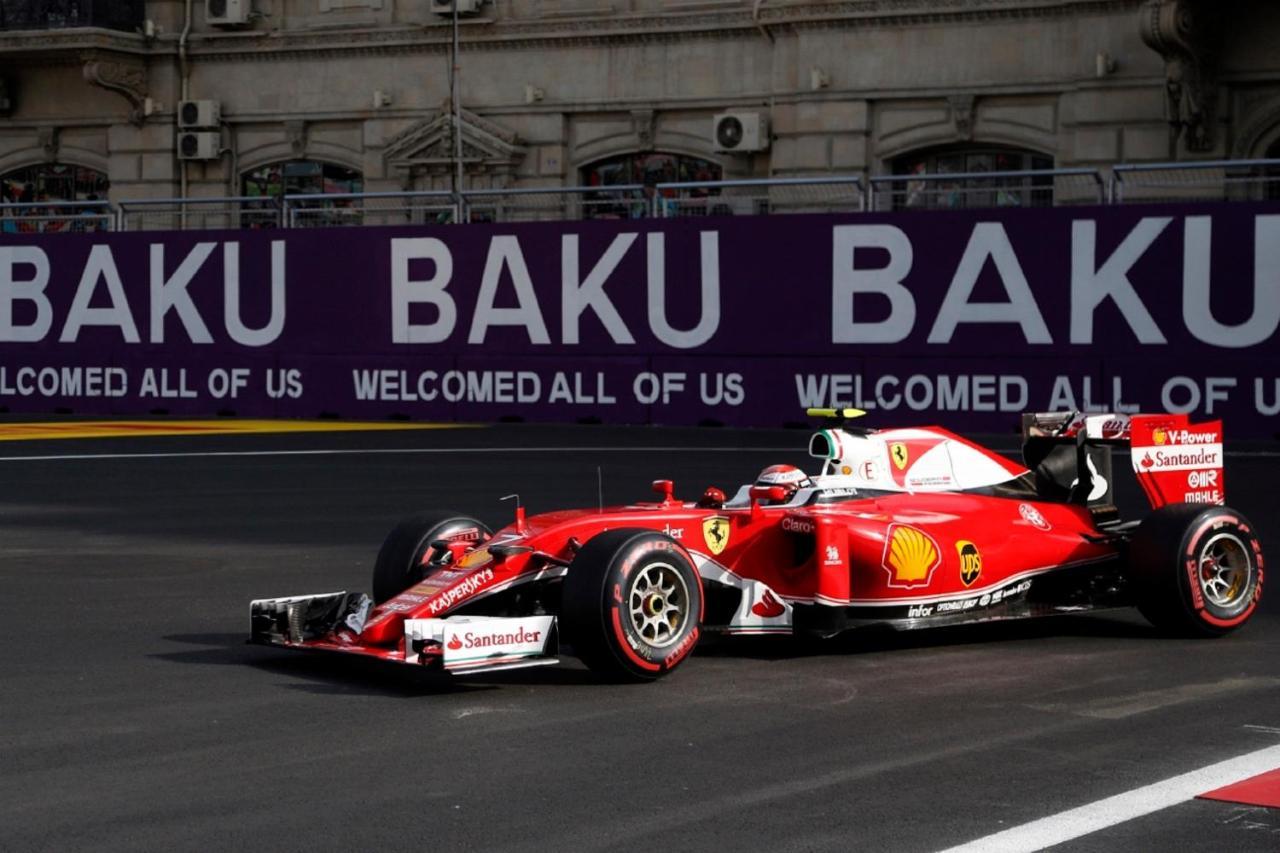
(647, 171)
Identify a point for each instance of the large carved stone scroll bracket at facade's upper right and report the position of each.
(1185, 34)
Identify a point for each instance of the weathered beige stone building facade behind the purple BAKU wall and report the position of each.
(333, 95)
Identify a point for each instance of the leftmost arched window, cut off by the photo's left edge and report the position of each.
(58, 185)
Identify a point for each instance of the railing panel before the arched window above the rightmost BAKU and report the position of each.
(956, 191)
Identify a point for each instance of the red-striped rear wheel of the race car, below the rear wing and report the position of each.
(1197, 571)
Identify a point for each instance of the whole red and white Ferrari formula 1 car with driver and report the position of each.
(909, 528)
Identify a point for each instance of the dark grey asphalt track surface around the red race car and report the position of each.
(135, 718)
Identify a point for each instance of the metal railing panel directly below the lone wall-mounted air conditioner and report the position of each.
(760, 197)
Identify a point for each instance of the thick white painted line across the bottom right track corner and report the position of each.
(1076, 823)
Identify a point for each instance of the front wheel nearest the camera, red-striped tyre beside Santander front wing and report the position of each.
(632, 605)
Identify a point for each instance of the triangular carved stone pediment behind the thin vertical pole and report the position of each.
(428, 145)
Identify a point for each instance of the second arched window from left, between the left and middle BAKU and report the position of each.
(304, 177)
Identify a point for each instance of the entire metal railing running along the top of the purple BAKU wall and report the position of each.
(1146, 183)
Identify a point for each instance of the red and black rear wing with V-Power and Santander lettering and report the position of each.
(1173, 460)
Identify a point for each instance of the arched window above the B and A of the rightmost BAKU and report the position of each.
(970, 189)
